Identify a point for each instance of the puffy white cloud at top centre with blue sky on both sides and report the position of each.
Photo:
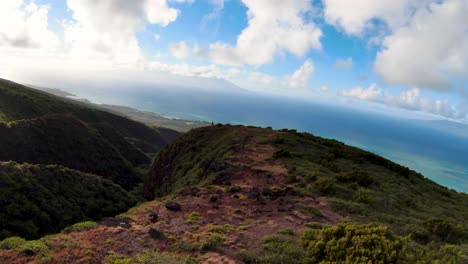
(273, 26)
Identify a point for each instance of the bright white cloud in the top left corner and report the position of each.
(25, 25)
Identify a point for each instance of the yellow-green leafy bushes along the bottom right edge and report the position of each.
(349, 243)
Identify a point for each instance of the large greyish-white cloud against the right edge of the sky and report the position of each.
(431, 50)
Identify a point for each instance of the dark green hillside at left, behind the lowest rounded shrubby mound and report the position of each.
(46, 129)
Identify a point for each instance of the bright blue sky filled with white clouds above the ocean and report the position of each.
(391, 54)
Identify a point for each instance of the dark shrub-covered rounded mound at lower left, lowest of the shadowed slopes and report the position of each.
(39, 199)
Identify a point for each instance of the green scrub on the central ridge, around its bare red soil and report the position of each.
(414, 219)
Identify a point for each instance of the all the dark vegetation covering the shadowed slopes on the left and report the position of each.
(44, 129)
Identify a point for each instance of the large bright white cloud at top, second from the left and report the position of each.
(105, 29)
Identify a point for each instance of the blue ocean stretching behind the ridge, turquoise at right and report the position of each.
(439, 154)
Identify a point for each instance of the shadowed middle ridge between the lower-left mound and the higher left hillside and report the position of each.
(65, 140)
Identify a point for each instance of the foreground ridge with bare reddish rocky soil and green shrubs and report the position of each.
(233, 194)
